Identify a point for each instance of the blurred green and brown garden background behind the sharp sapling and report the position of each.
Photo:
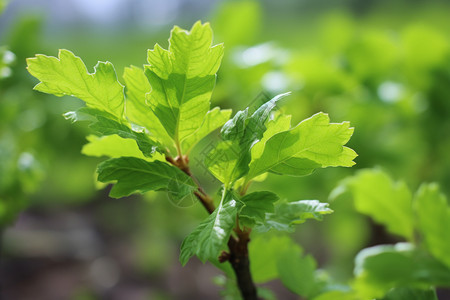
(382, 65)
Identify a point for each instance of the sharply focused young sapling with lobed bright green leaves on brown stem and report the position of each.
(166, 111)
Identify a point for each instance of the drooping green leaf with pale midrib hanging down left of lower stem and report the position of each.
(211, 235)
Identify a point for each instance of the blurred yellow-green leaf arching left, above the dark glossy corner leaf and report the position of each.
(387, 202)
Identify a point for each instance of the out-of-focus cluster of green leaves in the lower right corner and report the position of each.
(413, 268)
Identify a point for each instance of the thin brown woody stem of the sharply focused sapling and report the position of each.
(238, 256)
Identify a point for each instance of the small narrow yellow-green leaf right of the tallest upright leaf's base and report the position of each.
(213, 120)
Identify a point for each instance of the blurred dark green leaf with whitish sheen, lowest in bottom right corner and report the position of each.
(381, 268)
